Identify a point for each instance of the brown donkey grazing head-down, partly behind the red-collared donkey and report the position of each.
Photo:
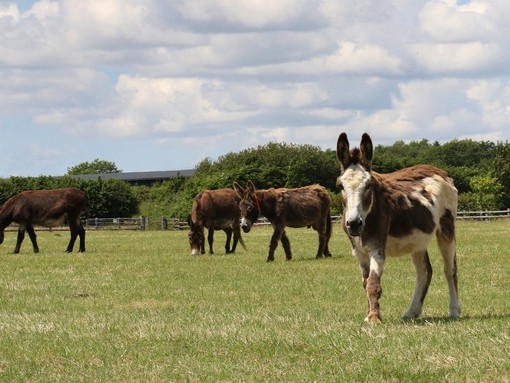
(216, 210)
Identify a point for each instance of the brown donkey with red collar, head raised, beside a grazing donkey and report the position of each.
(306, 206)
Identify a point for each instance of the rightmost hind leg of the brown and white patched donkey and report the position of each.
(448, 251)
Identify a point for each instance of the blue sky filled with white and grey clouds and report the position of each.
(162, 85)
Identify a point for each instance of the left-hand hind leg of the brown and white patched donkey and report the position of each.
(423, 268)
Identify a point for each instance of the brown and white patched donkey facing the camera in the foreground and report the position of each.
(397, 213)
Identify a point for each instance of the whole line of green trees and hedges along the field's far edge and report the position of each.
(481, 172)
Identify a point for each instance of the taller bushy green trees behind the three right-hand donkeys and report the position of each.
(480, 170)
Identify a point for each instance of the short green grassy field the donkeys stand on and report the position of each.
(138, 308)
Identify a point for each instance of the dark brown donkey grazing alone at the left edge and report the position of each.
(46, 208)
